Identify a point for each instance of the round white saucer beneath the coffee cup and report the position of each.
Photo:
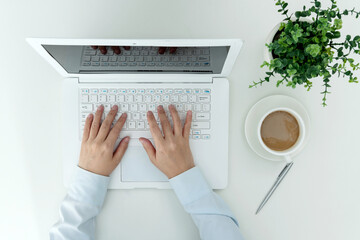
(257, 112)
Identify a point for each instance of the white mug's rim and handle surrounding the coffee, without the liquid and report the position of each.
(286, 153)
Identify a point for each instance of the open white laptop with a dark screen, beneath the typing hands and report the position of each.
(138, 80)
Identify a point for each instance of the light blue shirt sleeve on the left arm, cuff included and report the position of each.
(81, 205)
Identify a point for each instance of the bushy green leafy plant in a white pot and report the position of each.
(307, 45)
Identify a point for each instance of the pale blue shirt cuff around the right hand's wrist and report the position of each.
(190, 186)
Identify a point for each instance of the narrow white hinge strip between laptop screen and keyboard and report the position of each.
(146, 78)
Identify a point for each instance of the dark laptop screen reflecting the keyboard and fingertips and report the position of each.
(139, 59)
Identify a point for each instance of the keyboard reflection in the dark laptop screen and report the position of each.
(147, 57)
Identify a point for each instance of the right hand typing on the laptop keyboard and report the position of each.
(172, 155)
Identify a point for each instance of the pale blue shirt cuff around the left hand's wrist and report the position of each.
(89, 187)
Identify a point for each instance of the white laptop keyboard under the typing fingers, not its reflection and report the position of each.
(137, 101)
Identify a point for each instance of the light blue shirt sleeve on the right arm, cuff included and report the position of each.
(209, 212)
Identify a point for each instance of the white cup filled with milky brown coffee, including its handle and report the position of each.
(281, 131)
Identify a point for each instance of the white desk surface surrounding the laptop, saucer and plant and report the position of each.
(319, 199)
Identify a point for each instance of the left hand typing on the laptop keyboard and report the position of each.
(97, 153)
